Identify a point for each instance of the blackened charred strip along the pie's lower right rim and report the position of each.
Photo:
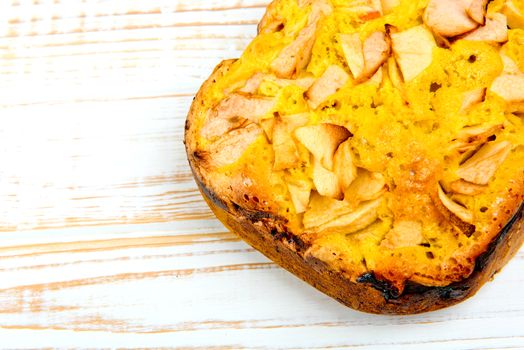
(457, 290)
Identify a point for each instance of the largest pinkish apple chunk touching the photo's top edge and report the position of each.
(449, 18)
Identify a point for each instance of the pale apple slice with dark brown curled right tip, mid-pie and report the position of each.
(322, 140)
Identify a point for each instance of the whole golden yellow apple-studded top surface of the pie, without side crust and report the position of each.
(388, 135)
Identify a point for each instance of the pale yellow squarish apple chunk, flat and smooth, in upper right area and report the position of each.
(413, 50)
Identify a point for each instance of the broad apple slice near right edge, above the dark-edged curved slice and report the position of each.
(484, 163)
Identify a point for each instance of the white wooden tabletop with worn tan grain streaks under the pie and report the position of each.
(104, 238)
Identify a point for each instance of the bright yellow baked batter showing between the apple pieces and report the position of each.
(392, 136)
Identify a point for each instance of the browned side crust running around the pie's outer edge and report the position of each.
(268, 235)
